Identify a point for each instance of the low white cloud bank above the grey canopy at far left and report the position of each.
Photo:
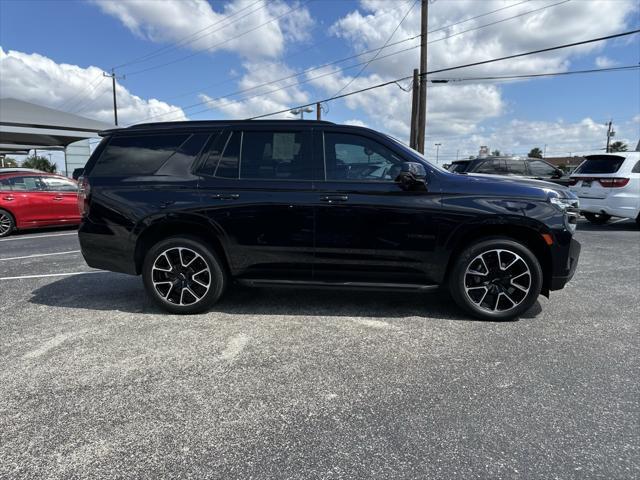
(38, 79)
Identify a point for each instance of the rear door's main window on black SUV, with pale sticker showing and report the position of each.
(275, 155)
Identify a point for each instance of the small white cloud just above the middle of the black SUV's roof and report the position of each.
(264, 99)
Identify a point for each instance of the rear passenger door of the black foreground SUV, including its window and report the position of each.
(256, 188)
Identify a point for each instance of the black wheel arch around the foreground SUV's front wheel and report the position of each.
(527, 235)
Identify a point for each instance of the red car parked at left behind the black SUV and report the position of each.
(35, 200)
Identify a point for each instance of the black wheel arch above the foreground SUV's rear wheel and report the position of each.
(158, 231)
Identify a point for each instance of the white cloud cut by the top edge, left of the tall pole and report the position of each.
(259, 30)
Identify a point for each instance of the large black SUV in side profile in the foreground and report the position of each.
(194, 206)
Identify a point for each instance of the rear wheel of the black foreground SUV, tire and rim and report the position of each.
(182, 275)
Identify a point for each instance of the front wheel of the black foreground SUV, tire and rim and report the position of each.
(495, 292)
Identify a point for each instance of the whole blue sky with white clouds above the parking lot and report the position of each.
(53, 53)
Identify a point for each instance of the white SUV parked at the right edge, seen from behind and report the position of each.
(608, 185)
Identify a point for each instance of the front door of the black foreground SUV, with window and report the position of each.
(369, 229)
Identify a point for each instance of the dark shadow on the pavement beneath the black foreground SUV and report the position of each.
(116, 292)
